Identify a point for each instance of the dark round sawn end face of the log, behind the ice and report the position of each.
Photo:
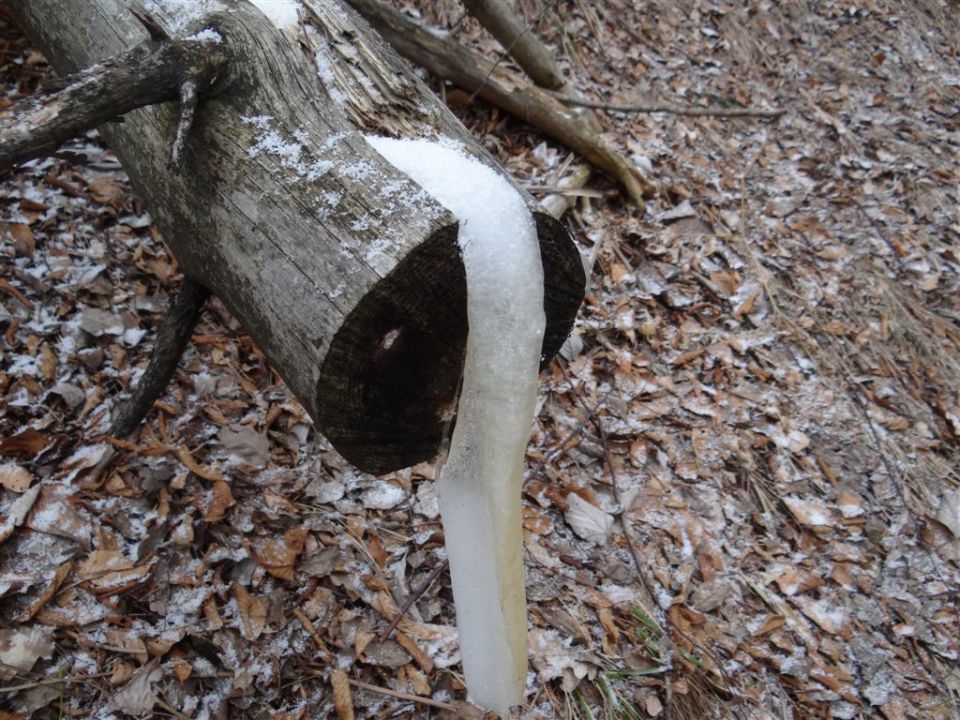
(388, 384)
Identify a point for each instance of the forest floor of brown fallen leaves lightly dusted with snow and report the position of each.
(743, 490)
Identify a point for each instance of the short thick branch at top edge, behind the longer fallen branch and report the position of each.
(518, 40)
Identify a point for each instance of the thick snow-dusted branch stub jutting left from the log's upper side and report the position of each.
(152, 72)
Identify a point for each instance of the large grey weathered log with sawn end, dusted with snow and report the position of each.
(345, 273)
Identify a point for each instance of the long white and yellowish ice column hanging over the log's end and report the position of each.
(479, 486)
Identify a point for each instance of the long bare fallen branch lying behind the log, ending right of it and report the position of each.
(447, 59)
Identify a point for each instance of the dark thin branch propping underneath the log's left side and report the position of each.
(172, 339)
